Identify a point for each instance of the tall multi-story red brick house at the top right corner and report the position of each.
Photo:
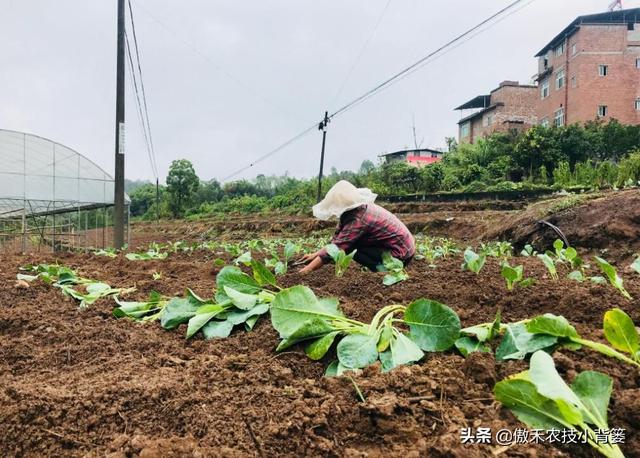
(591, 70)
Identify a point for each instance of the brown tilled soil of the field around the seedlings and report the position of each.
(83, 383)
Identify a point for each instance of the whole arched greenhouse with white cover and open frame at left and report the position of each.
(51, 197)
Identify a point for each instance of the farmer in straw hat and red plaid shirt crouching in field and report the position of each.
(364, 226)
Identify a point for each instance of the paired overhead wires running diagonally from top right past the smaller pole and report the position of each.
(457, 41)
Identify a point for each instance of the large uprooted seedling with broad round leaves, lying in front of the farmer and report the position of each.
(300, 317)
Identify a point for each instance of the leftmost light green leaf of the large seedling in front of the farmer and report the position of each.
(294, 306)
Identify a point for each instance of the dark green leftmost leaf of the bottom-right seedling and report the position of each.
(521, 397)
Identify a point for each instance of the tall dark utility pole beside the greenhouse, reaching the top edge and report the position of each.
(118, 204)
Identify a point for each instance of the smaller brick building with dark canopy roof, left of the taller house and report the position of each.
(511, 106)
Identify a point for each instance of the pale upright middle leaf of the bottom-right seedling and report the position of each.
(549, 384)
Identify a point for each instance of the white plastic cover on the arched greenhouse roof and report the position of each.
(42, 176)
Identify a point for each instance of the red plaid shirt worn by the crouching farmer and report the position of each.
(372, 225)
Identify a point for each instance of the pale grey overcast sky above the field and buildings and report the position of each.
(228, 81)
